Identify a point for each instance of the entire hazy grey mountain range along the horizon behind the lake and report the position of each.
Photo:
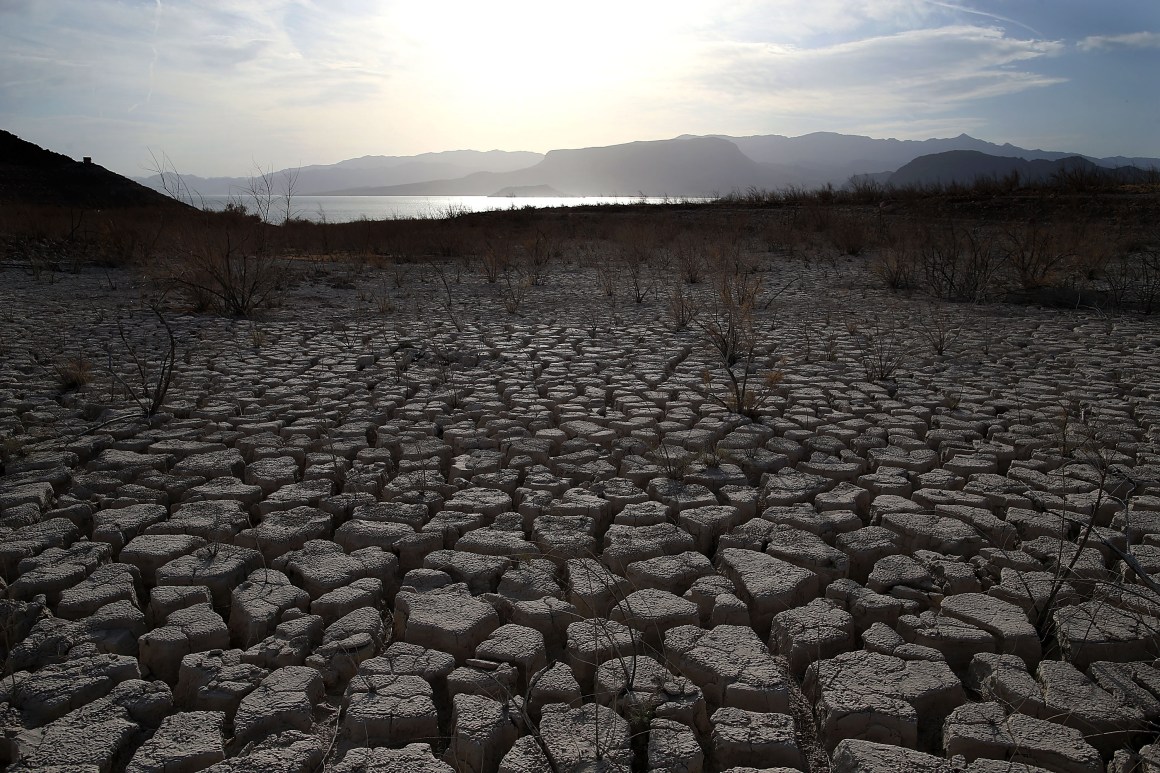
(683, 167)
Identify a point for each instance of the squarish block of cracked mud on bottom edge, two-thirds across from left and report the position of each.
(744, 738)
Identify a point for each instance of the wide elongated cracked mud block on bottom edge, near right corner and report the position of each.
(976, 731)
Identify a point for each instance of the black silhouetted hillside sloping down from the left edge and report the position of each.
(34, 176)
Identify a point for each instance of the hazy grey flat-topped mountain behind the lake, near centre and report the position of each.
(693, 167)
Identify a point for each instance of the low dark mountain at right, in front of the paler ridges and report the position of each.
(966, 168)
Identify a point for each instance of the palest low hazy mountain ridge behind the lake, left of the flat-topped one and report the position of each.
(369, 171)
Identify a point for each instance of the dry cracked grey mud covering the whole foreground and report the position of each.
(390, 526)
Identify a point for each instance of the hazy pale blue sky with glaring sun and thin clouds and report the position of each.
(219, 85)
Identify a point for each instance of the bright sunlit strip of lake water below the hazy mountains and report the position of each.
(345, 209)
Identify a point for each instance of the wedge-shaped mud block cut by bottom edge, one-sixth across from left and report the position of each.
(185, 743)
